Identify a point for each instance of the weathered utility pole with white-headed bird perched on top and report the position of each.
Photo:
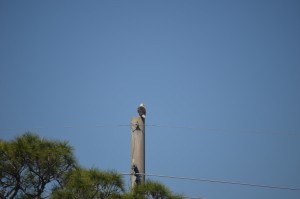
(138, 147)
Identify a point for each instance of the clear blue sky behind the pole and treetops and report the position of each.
(228, 72)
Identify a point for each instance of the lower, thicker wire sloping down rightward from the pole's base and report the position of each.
(218, 181)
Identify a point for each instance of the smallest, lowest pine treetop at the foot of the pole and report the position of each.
(151, 190)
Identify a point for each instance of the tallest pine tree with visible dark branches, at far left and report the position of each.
(30, 164)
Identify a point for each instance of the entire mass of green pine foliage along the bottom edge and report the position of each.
(30, 165)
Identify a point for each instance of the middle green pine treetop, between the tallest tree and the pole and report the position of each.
(90, 184)
